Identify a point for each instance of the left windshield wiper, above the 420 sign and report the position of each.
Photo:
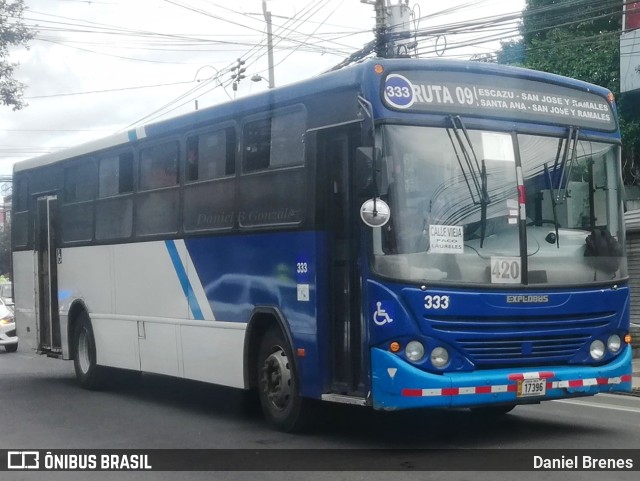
(477, 173)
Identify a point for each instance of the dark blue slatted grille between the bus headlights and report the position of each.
(493, 342)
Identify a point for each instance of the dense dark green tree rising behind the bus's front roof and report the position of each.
(579, 39)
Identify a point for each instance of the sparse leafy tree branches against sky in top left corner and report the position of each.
(13, 32)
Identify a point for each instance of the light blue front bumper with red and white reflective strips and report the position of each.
(397, 384)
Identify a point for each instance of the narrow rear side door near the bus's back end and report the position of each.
(49, 340)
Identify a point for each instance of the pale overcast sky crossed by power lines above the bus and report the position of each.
(99, 67)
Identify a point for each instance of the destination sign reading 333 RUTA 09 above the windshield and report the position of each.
(497, 96)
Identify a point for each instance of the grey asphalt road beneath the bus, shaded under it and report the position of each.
(42, 407)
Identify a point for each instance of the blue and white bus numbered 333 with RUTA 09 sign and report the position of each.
(397, 234)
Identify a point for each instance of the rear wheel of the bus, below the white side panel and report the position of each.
(89, 374)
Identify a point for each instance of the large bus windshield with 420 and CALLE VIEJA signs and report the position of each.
(455, 213)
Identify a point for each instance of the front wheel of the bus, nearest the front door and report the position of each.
(278, 387)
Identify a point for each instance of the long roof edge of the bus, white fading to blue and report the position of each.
(352, 76)
